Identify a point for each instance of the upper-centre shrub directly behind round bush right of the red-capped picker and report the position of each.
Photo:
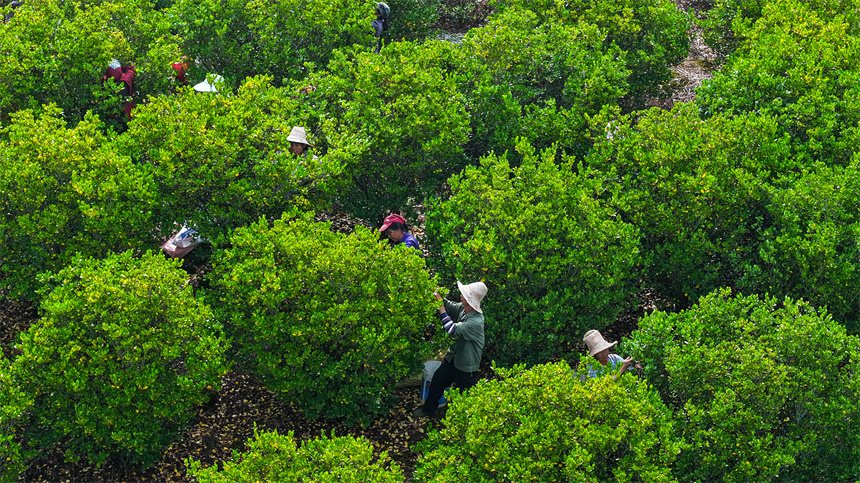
(524, 76)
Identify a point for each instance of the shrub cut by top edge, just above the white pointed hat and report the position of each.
(239, 38)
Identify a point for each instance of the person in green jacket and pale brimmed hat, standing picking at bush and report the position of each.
(465, 323)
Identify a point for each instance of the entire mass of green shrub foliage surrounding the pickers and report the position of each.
(514, 143)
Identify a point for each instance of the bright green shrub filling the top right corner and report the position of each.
(803, 69)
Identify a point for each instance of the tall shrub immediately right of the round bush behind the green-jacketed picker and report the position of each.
(698, 191)
